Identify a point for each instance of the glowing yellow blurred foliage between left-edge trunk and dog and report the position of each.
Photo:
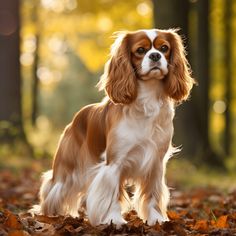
(71, 40)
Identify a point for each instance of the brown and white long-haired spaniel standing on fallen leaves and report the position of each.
(126, 137)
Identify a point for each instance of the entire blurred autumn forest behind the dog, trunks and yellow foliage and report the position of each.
(52, 53)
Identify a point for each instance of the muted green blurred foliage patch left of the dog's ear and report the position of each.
(75, 89)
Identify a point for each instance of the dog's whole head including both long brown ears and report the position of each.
(144, 55)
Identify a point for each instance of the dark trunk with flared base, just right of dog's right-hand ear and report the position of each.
(202, 72)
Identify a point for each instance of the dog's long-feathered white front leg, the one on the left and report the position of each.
(103, 194)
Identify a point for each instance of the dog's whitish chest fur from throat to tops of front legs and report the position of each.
(147, 124)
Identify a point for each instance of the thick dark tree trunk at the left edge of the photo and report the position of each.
(11, 126)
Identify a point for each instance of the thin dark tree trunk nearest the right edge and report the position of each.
(229, 84)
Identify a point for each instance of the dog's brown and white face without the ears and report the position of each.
(150, 54)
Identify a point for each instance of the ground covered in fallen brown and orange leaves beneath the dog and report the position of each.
(202, 211)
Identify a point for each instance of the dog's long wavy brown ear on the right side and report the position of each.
(178, 82)
